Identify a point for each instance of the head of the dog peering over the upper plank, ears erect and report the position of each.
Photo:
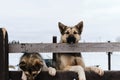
(70, 34)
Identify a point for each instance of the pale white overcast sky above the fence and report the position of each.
(36, 20)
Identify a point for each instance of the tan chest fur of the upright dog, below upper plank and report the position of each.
(66, 59)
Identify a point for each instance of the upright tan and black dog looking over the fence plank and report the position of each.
(72, 61)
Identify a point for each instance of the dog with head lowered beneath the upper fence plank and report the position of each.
(32, 64)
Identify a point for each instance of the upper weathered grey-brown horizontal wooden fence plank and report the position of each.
(64, 48)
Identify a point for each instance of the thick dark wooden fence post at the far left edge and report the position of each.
(4, 74)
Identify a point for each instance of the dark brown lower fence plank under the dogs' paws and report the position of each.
(109, 75)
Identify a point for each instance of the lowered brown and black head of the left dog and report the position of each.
(31, 65)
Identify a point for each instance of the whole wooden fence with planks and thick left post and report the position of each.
(6, 48)
